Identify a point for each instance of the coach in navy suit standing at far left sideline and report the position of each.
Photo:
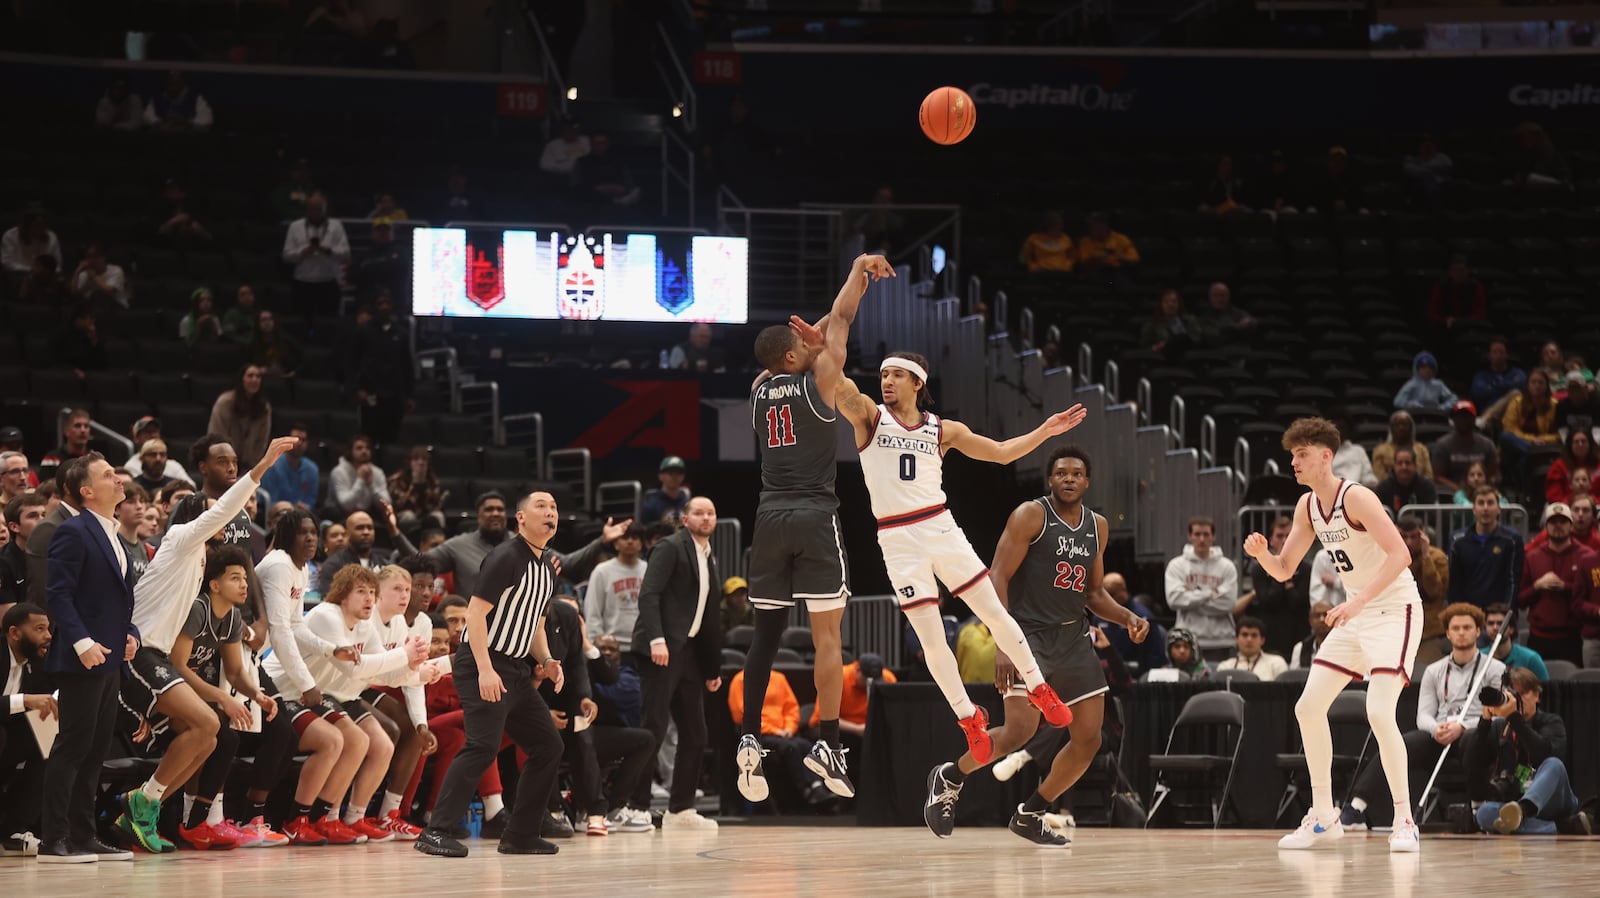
(92, 607)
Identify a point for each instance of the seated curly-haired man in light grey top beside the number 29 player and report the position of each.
(1439, 699)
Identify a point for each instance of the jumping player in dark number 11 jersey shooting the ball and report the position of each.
(796, 553)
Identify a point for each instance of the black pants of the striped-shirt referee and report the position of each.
(521, 715)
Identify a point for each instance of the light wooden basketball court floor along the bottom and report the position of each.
(846, 862)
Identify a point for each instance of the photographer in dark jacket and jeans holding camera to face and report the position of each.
(1514, 764)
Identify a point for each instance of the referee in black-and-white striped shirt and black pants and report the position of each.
(505, 630)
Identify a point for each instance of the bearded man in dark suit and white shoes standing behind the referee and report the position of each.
(679, 631)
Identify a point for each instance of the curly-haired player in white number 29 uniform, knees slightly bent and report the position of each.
(1374, 635)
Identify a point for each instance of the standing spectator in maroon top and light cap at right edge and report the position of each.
(1554, 579)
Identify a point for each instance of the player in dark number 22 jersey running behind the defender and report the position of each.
(1049, 571)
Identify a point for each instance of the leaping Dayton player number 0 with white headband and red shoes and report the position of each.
(903, 463)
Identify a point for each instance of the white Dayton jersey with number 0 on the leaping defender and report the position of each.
(903, 467)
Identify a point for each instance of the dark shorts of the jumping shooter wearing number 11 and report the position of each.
(798, 556)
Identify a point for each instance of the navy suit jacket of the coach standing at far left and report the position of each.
(89, 596)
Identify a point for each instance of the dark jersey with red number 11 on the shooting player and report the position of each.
(799, 443)
